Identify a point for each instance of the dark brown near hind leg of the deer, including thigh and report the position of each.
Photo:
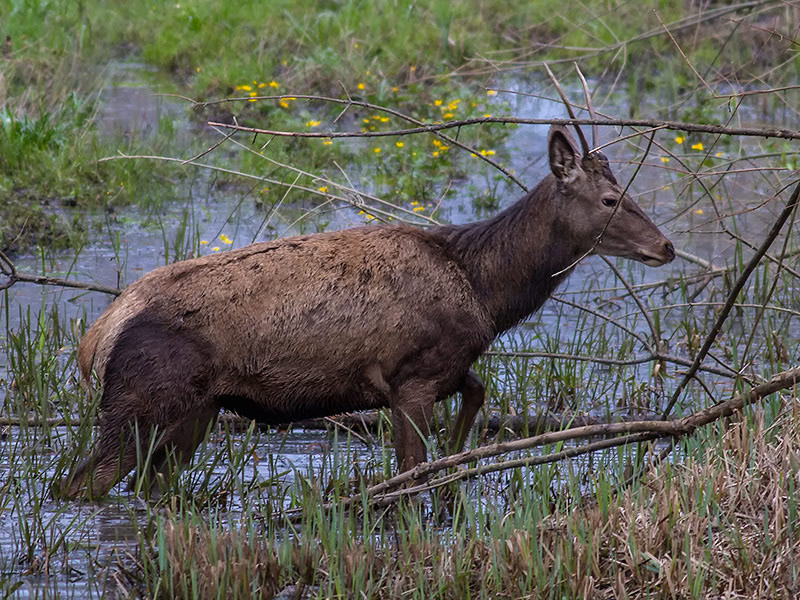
(155, 383)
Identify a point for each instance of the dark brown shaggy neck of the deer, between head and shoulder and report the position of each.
(516, 259)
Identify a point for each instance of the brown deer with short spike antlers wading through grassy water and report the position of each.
(369, 317)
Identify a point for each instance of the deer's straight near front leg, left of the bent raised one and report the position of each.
(412, 411)
